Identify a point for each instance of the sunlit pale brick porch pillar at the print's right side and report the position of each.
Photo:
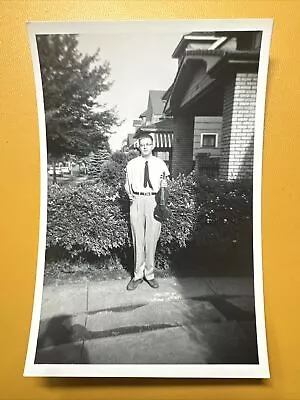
(238, 127)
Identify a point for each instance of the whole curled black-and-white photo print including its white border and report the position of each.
(151, 145)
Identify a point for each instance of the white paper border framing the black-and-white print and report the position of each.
(260, 370)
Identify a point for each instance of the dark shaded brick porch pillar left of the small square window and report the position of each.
(182, 155)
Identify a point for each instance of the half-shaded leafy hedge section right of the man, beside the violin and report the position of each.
(206, 212)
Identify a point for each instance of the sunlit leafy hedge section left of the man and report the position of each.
(86, 219)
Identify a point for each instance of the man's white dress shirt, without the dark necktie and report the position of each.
(135, 174)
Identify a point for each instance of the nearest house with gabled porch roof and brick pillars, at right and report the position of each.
(212, 101)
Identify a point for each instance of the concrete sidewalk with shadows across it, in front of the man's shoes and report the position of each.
(186, 320)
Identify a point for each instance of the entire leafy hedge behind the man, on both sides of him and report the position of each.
(92, 218)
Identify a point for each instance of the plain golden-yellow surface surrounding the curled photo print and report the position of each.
(19, 166)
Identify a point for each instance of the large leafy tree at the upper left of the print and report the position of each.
(72, 82)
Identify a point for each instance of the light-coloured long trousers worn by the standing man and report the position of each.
(145, 234)
